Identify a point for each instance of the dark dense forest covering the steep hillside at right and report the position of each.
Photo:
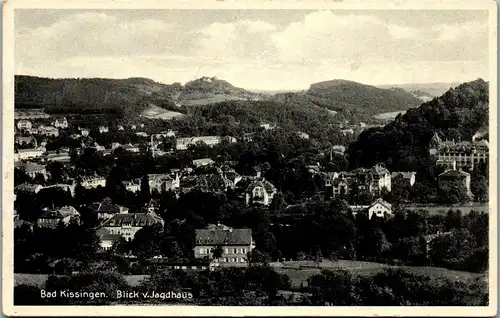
(403, 144)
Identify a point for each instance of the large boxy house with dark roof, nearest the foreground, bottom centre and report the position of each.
(235, 244)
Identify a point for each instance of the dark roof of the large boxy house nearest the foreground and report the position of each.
(223, 236)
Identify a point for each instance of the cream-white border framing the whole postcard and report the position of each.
(8, 151)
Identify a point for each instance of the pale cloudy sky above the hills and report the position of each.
(254, 49)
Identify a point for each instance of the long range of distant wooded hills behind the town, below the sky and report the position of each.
(350, 100)
